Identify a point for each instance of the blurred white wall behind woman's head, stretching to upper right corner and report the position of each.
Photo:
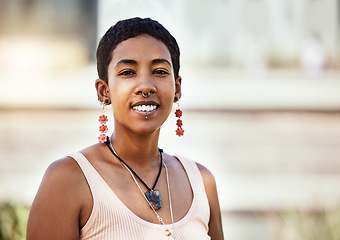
(230, 31)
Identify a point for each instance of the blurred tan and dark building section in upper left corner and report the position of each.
(47, 33)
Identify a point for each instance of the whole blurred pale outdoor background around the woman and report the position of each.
(261, 103)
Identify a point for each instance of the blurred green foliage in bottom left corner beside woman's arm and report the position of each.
(13, 221)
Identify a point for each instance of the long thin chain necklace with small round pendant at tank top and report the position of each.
(168, 232)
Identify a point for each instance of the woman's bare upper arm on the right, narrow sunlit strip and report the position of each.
(215, 222)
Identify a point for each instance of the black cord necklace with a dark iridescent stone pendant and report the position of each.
(152, 194)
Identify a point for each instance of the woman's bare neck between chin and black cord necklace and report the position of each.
(138, 150)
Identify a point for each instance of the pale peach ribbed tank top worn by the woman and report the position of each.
(111, 219)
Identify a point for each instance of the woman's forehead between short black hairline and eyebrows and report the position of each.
(141, 48)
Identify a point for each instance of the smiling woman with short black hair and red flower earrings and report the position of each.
(125, 187)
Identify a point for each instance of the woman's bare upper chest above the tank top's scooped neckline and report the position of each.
(128, 191)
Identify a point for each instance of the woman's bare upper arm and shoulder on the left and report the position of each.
(56, 207)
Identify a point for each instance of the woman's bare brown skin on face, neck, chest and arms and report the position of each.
(64, 202)
